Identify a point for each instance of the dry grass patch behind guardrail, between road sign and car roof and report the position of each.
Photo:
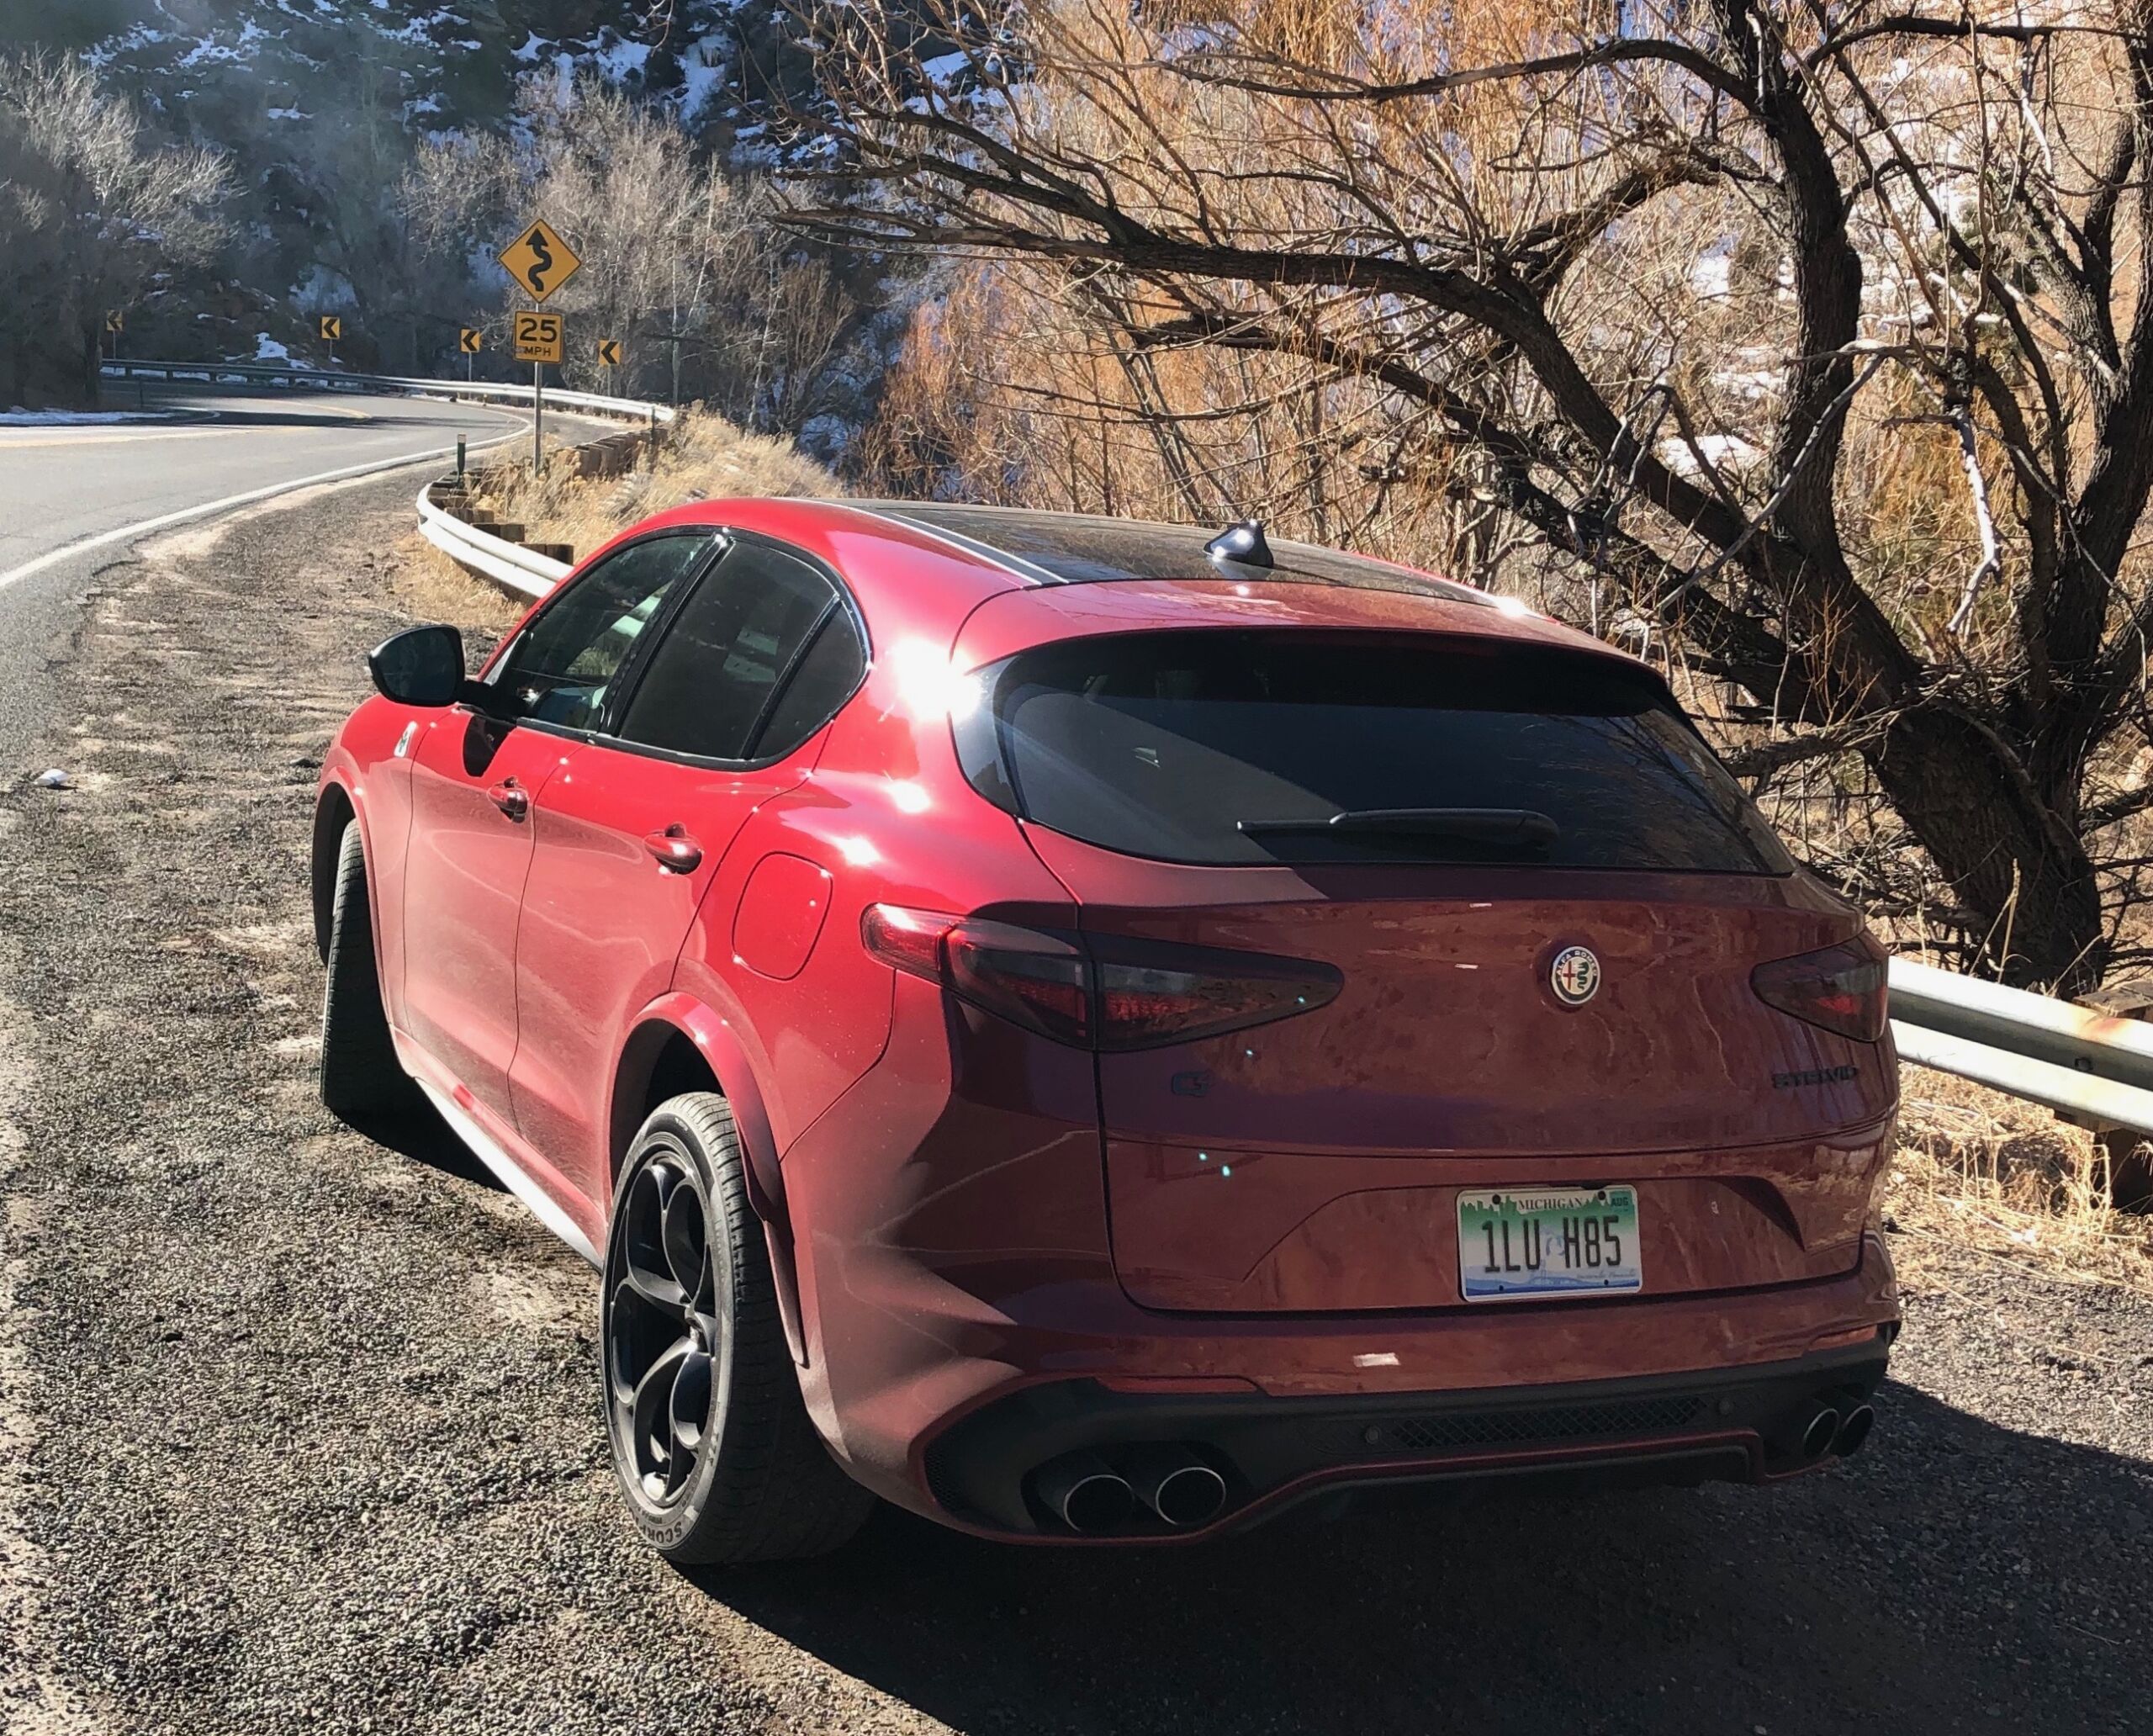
(703, 458)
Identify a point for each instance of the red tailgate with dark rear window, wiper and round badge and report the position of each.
(1512, 804)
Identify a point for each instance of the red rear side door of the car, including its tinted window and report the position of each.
(724, 714)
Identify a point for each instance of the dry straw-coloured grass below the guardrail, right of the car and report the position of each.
(1982, 1171)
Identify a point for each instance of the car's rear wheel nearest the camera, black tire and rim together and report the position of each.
(712, 1442)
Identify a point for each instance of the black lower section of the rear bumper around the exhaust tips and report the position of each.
(1749, 1425)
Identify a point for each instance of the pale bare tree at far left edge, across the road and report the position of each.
(94, 210)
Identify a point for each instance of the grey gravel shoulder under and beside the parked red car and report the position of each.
(300, 1433)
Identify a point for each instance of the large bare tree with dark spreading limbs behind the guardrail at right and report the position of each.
(1676, 292)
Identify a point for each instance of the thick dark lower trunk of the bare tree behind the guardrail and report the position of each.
(2008, 856)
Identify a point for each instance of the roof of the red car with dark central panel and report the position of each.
(966, 555)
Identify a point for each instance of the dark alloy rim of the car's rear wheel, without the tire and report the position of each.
(666, 1336)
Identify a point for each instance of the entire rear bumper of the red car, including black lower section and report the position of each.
(953, 1410)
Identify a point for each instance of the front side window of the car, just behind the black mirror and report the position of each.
(565, 664)
